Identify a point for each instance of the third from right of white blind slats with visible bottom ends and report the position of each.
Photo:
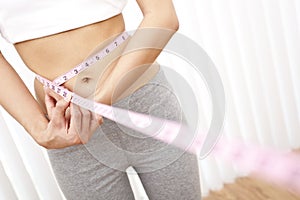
(250, 67)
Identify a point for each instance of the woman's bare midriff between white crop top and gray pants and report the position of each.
(54, 55)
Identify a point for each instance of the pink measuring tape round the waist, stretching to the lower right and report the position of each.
(279, 167)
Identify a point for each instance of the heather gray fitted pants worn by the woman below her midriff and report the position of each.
(97, 170)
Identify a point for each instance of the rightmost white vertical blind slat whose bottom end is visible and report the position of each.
(281, 66)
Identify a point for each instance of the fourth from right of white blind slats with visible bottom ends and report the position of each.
(234, 70)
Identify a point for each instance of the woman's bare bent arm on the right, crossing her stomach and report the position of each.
(157, 27)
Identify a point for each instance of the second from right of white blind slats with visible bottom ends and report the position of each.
(265, 67)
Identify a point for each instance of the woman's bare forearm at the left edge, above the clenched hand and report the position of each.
(17, 100)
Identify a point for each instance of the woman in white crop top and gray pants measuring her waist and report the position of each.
(89, 164)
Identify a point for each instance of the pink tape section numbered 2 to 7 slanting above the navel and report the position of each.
(91, 60)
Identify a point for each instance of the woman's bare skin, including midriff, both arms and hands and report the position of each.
(53, 55)
